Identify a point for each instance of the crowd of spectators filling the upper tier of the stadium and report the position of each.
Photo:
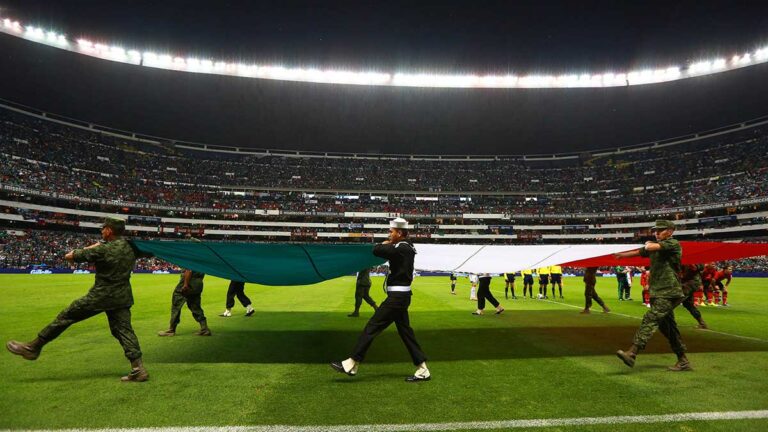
(45, 156)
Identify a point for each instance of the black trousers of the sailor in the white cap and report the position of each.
(392, 310)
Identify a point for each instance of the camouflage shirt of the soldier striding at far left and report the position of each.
(114, 262)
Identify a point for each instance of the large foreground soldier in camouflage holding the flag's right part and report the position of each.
(666, 294)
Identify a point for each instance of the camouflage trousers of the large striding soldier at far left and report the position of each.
(82, 309)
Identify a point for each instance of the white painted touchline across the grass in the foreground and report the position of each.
(501, 424)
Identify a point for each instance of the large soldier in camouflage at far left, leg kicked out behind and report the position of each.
(111, 293)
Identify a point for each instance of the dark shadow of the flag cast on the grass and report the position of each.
(519, 335)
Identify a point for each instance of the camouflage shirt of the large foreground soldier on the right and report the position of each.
(665, 269)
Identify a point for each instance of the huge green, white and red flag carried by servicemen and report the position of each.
(301, 264)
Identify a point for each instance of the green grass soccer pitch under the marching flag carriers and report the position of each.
(538, 362)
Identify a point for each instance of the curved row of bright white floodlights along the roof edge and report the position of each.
(332, 76)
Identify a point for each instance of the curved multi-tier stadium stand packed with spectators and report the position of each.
(68, 175)
